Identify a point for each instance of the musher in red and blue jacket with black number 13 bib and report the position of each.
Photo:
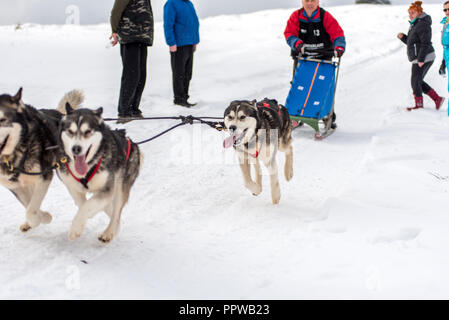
(312, 31)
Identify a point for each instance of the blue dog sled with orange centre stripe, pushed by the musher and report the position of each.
(312, 95)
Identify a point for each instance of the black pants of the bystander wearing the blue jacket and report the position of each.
(182, 64)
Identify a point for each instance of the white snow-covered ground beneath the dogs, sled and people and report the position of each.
(365, 215)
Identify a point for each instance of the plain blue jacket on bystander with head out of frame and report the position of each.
(181, 24)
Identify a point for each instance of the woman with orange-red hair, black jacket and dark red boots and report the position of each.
(420, 53)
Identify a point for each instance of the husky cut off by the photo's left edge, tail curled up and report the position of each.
(27, 136)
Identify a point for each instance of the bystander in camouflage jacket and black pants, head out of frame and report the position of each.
(132, 26)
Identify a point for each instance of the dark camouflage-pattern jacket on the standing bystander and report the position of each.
(133, 21)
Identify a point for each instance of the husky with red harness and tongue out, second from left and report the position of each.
(102, 162)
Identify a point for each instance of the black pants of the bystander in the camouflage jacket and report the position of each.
(134, 59)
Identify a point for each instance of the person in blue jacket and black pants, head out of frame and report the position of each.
(181, 28)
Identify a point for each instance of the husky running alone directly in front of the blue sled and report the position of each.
(257, 131)
